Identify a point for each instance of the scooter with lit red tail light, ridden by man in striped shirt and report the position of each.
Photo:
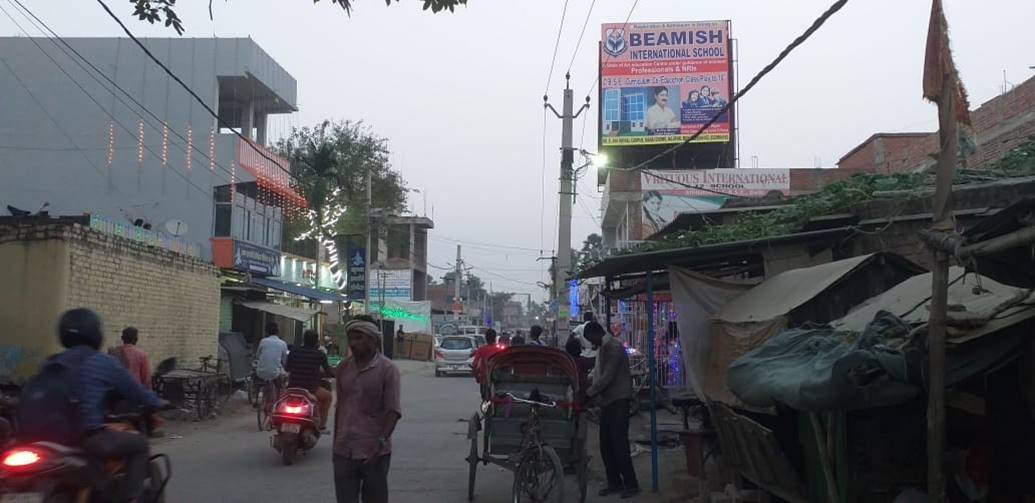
(297, 424)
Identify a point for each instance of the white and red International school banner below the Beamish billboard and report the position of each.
(664, 199)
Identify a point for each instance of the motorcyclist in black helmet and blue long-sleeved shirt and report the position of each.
(99, 376)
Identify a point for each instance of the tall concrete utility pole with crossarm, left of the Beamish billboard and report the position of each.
(567, 200)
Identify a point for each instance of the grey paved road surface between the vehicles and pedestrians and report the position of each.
(229, 461)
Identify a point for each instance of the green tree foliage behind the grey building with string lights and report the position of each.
(330, 164)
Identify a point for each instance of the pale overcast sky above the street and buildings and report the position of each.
(460, 96)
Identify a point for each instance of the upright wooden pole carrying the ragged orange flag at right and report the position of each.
(939, 291)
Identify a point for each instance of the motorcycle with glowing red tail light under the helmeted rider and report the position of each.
(48, 472)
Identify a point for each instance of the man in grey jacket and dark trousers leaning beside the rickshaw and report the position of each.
(612, 390)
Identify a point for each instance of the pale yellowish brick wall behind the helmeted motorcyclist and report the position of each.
(173, 300)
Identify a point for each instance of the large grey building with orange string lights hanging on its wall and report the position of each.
(73, 140)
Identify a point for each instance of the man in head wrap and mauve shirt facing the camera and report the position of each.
(367, 413)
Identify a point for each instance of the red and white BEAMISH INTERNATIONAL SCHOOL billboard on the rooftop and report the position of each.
(661, 82)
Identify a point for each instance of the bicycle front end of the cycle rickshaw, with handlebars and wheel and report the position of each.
(539, 474)
